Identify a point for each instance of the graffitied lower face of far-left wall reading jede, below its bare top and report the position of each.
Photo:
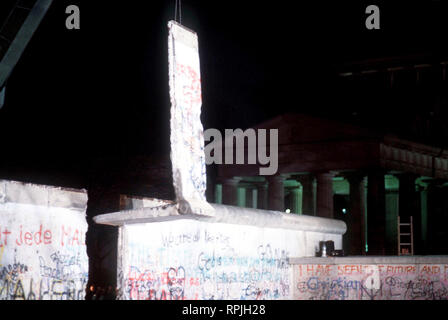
(42, 256)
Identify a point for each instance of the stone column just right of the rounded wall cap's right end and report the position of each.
(355, 235)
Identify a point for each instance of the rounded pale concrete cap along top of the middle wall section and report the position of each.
(226, 214)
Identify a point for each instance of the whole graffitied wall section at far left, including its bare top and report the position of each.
(42, 242)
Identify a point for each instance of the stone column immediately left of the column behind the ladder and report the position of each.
(376, 213)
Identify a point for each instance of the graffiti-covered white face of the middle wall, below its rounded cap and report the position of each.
(163, 261)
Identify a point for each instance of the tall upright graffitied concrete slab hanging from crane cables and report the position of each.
(187, 137)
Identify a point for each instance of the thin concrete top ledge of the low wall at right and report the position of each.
(366, 260)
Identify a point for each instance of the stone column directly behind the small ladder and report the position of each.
(408, 205)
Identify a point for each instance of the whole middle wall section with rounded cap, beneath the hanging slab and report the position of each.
(239, 254)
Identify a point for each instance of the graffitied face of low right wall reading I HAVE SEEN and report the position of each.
(371, 282)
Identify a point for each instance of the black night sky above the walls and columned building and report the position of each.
(103, 90)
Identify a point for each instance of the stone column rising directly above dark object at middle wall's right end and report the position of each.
(325, 194)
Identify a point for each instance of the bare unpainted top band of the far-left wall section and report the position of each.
(42, 195)
